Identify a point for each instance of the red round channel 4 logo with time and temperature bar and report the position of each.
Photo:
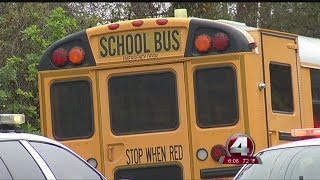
(240, 149)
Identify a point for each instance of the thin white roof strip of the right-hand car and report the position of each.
(307, 142)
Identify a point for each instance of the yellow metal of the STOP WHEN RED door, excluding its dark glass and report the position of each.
(125, 151)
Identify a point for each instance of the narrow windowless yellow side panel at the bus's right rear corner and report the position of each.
(257, 125)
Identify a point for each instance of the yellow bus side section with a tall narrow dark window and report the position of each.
(281, 77)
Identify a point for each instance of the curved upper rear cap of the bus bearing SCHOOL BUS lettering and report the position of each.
(145, 39)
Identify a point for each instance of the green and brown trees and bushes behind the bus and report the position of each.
(28, 29)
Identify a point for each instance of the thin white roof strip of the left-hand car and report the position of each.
(26, 136)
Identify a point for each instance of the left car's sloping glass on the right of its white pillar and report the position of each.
(64, 164)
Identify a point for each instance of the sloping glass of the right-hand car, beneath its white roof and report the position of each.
(286, 163)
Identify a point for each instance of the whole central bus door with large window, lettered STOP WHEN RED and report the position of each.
(151, 135)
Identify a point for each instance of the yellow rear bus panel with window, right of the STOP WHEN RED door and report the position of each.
(215, 97)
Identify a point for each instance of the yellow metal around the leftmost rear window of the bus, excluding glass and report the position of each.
(85, 147)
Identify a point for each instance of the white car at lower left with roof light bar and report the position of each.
(28, 156)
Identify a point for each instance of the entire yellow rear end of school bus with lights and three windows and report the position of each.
(148, 99)
